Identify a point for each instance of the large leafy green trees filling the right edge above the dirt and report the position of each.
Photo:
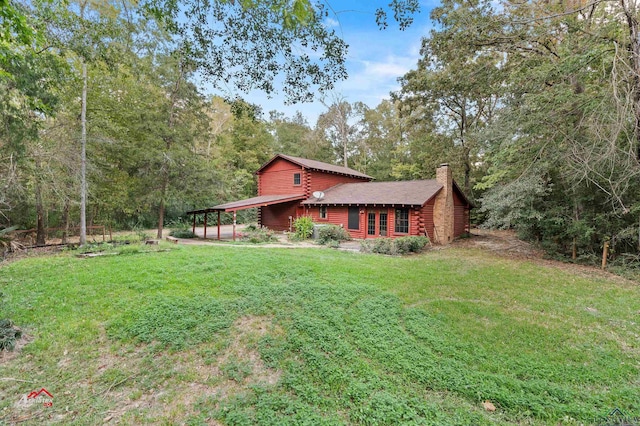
(566, 114)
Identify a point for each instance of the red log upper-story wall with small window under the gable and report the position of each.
(278, 178)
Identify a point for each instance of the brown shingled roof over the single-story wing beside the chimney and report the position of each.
(408, 193)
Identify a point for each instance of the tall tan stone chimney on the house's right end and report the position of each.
(443, 210)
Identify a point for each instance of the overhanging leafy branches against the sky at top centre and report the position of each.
(248, 43)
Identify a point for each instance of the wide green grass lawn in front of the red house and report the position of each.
(242, 336)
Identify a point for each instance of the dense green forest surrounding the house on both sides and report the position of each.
(536, 105)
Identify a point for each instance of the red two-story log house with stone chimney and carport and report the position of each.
(290, 187)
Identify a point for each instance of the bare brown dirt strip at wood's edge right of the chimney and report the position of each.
(505, 243)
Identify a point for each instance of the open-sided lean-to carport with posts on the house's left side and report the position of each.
(233, 207)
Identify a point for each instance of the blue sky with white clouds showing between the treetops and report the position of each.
(376, 58)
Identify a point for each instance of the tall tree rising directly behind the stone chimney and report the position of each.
(459, 86)
